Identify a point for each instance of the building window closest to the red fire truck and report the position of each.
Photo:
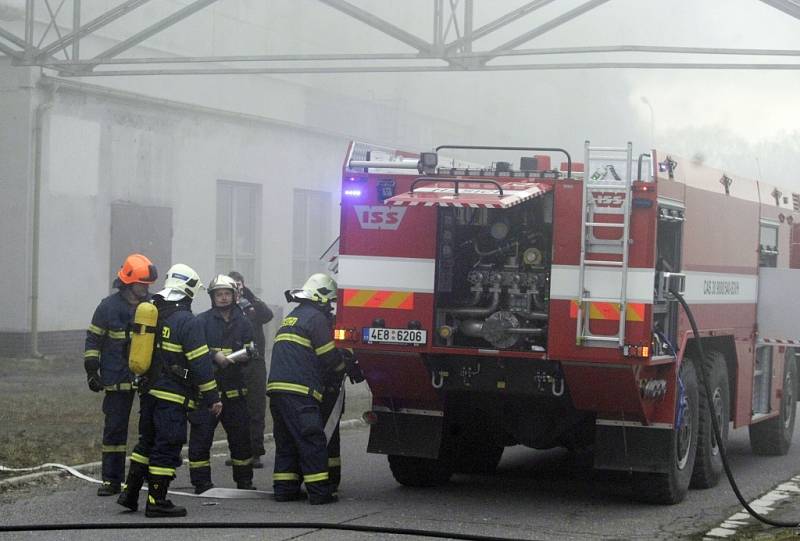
(311, 233)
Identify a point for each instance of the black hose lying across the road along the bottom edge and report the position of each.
(248, 525)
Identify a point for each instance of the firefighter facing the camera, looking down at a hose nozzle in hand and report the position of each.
(227, 330)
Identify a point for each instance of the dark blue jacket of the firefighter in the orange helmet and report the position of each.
(108, 341)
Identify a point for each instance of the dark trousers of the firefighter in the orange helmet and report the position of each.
(117, 412)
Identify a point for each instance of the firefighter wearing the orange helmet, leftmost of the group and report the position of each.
(106, 363)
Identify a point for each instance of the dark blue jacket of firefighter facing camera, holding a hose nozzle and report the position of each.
(227, 337)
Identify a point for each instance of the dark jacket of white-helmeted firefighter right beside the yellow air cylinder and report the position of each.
(181, 367)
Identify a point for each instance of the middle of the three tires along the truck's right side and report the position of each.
(708, 462)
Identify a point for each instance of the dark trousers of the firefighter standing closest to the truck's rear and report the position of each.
(300, 446)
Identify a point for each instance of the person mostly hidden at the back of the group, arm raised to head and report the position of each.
(255, 371)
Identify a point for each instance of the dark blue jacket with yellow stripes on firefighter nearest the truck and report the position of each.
(303, 353)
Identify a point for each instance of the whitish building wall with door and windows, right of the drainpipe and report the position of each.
(102, 150)
